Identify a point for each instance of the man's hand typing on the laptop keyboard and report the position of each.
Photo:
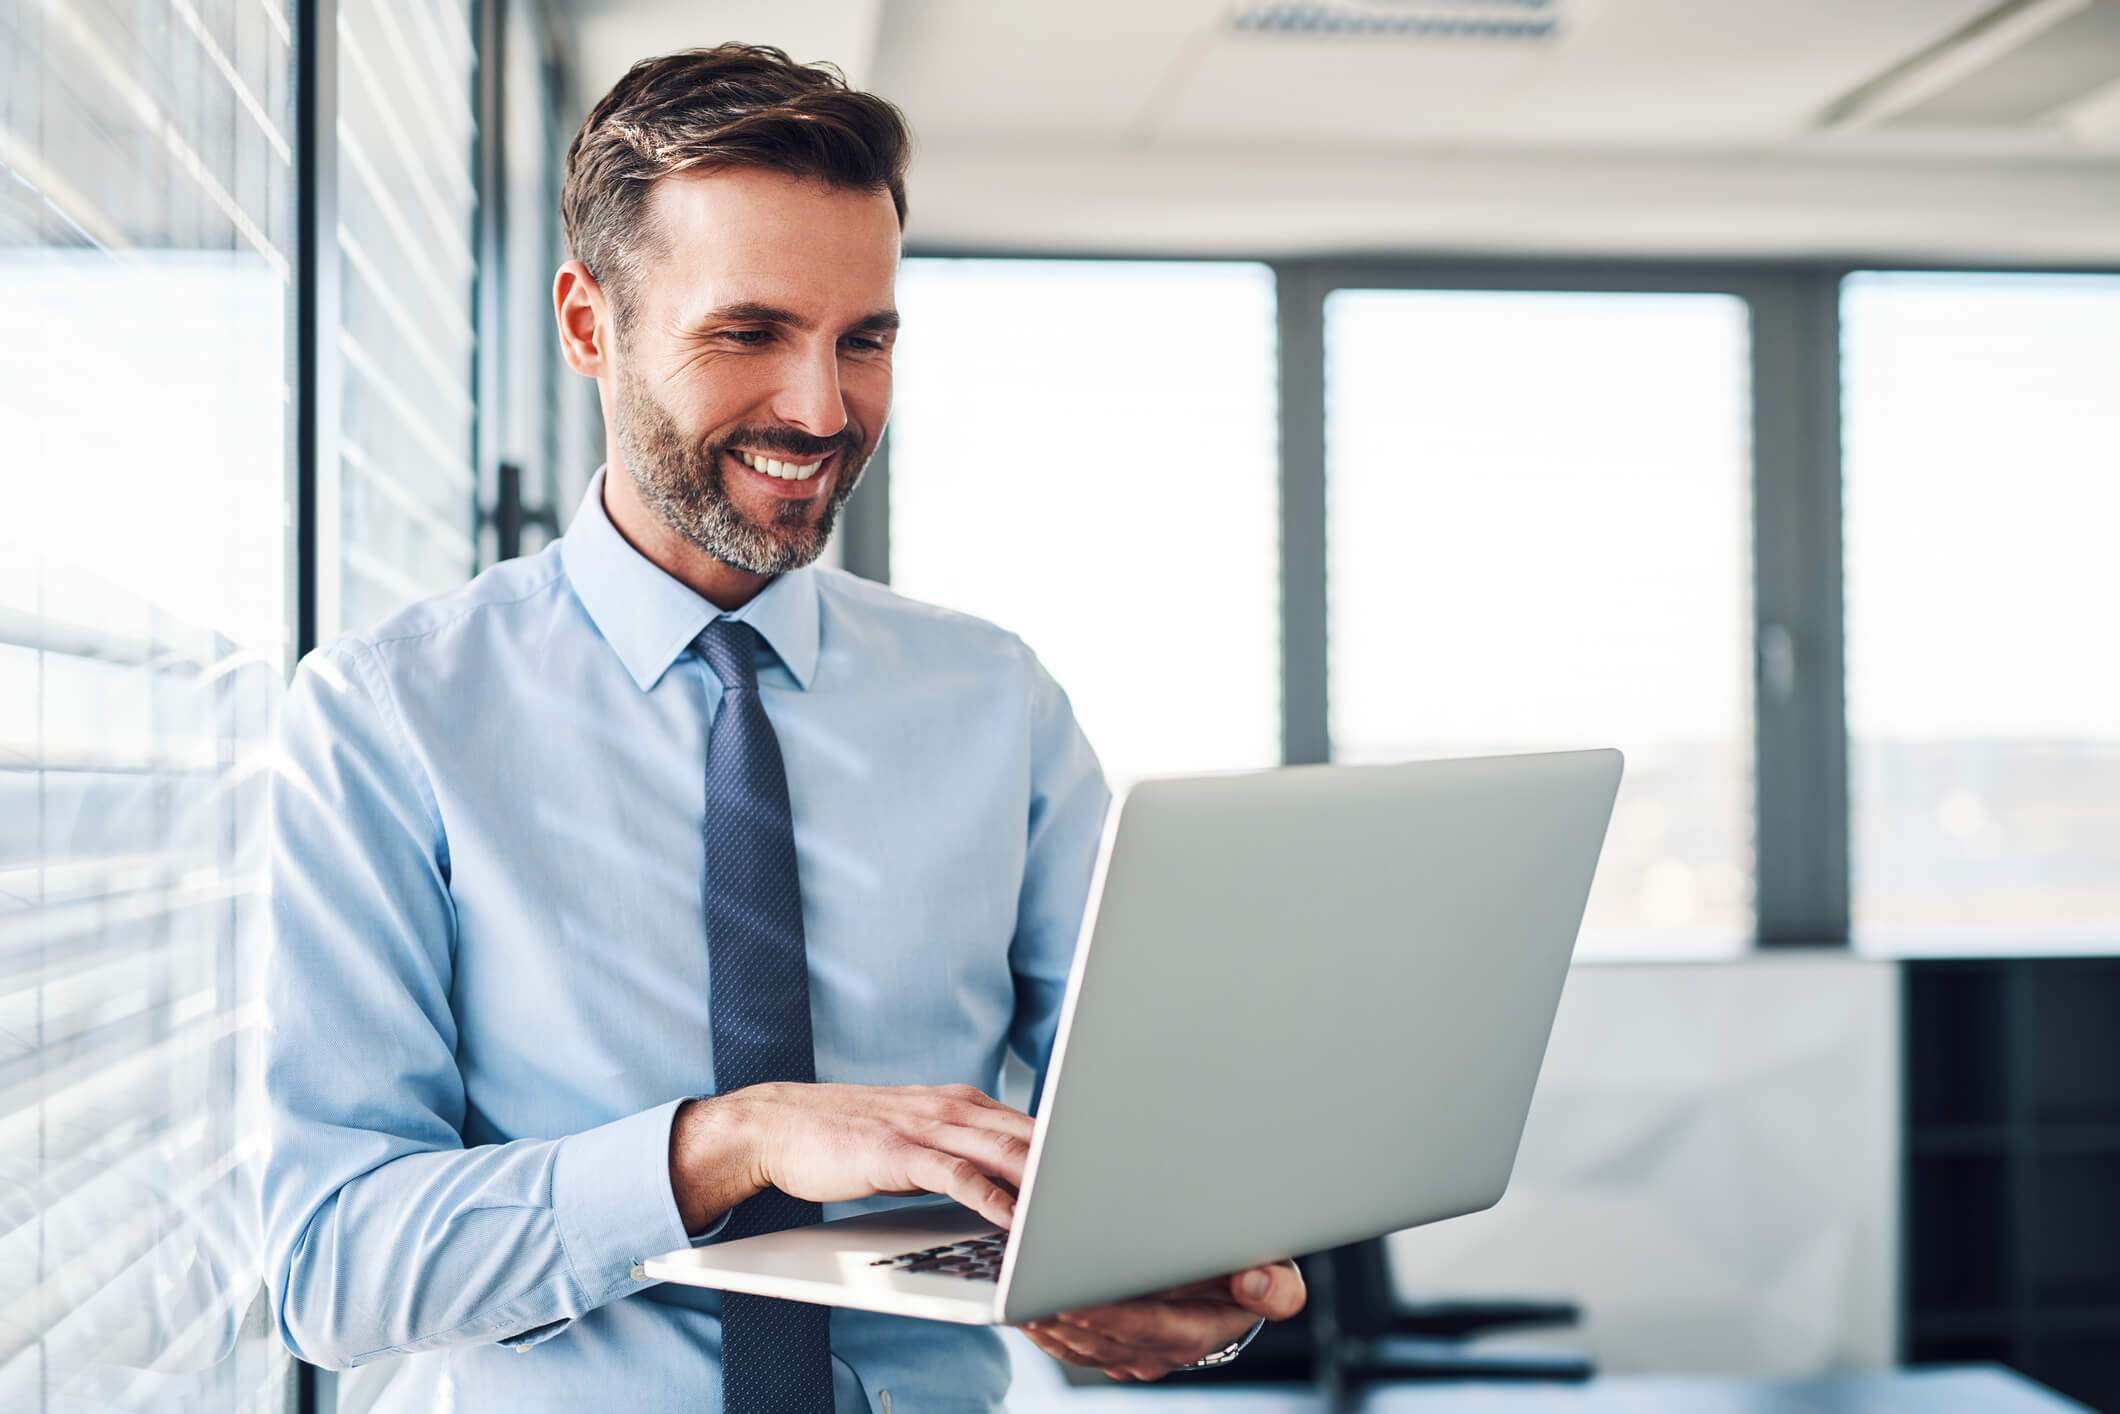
(834, 1144)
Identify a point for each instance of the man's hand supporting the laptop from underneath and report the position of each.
(1150, 1339)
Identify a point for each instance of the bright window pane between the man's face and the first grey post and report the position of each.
(1086, 453)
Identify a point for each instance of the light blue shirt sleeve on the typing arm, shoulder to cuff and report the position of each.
(385, 1235)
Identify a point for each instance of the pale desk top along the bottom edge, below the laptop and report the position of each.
(1964, 1390)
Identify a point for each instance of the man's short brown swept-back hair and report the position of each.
(726, 107)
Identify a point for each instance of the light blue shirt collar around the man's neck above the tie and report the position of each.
(650, 620)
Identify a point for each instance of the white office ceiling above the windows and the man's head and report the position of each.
(1750, 128)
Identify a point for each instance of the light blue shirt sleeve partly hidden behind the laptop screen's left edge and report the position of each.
(1065, 830)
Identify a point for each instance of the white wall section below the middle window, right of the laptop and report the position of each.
(1710, 1169)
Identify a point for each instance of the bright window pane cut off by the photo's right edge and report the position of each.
(1983, 491)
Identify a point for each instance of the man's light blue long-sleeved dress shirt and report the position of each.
(489, 987)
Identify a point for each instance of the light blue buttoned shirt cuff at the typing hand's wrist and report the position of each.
(612, 1201)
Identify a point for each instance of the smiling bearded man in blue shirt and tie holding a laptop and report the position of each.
(665, 813)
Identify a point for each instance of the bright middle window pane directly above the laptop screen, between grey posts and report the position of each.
(1538, 537)
